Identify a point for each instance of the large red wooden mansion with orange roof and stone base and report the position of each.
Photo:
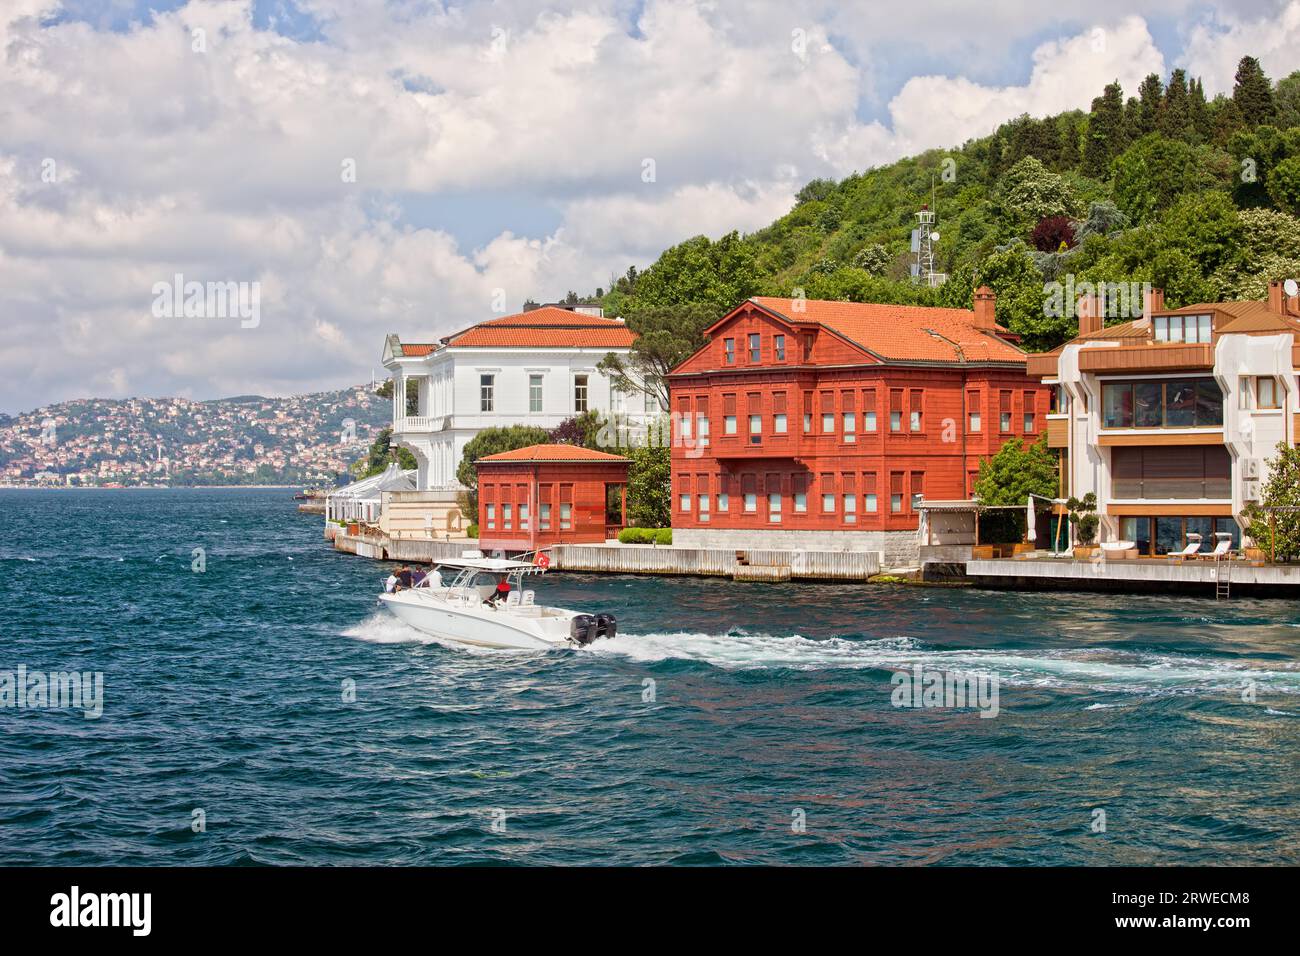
(811, 425)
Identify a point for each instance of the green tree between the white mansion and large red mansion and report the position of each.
(666, 338)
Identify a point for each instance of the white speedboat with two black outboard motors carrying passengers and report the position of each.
(461, 602)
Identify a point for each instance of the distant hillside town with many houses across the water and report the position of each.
(248, 440)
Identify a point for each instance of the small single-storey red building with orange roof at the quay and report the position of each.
(549, 495)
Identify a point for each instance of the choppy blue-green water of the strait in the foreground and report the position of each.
(224, 694)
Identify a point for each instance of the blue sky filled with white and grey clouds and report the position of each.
(365, 167)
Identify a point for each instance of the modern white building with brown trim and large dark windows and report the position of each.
(1169, 419)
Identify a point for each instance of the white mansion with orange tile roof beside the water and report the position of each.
(534, 369)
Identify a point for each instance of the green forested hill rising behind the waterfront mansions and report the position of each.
(1162, 185)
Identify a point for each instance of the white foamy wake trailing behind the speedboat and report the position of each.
(1095, 669)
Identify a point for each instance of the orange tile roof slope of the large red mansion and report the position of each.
(904, 334)
